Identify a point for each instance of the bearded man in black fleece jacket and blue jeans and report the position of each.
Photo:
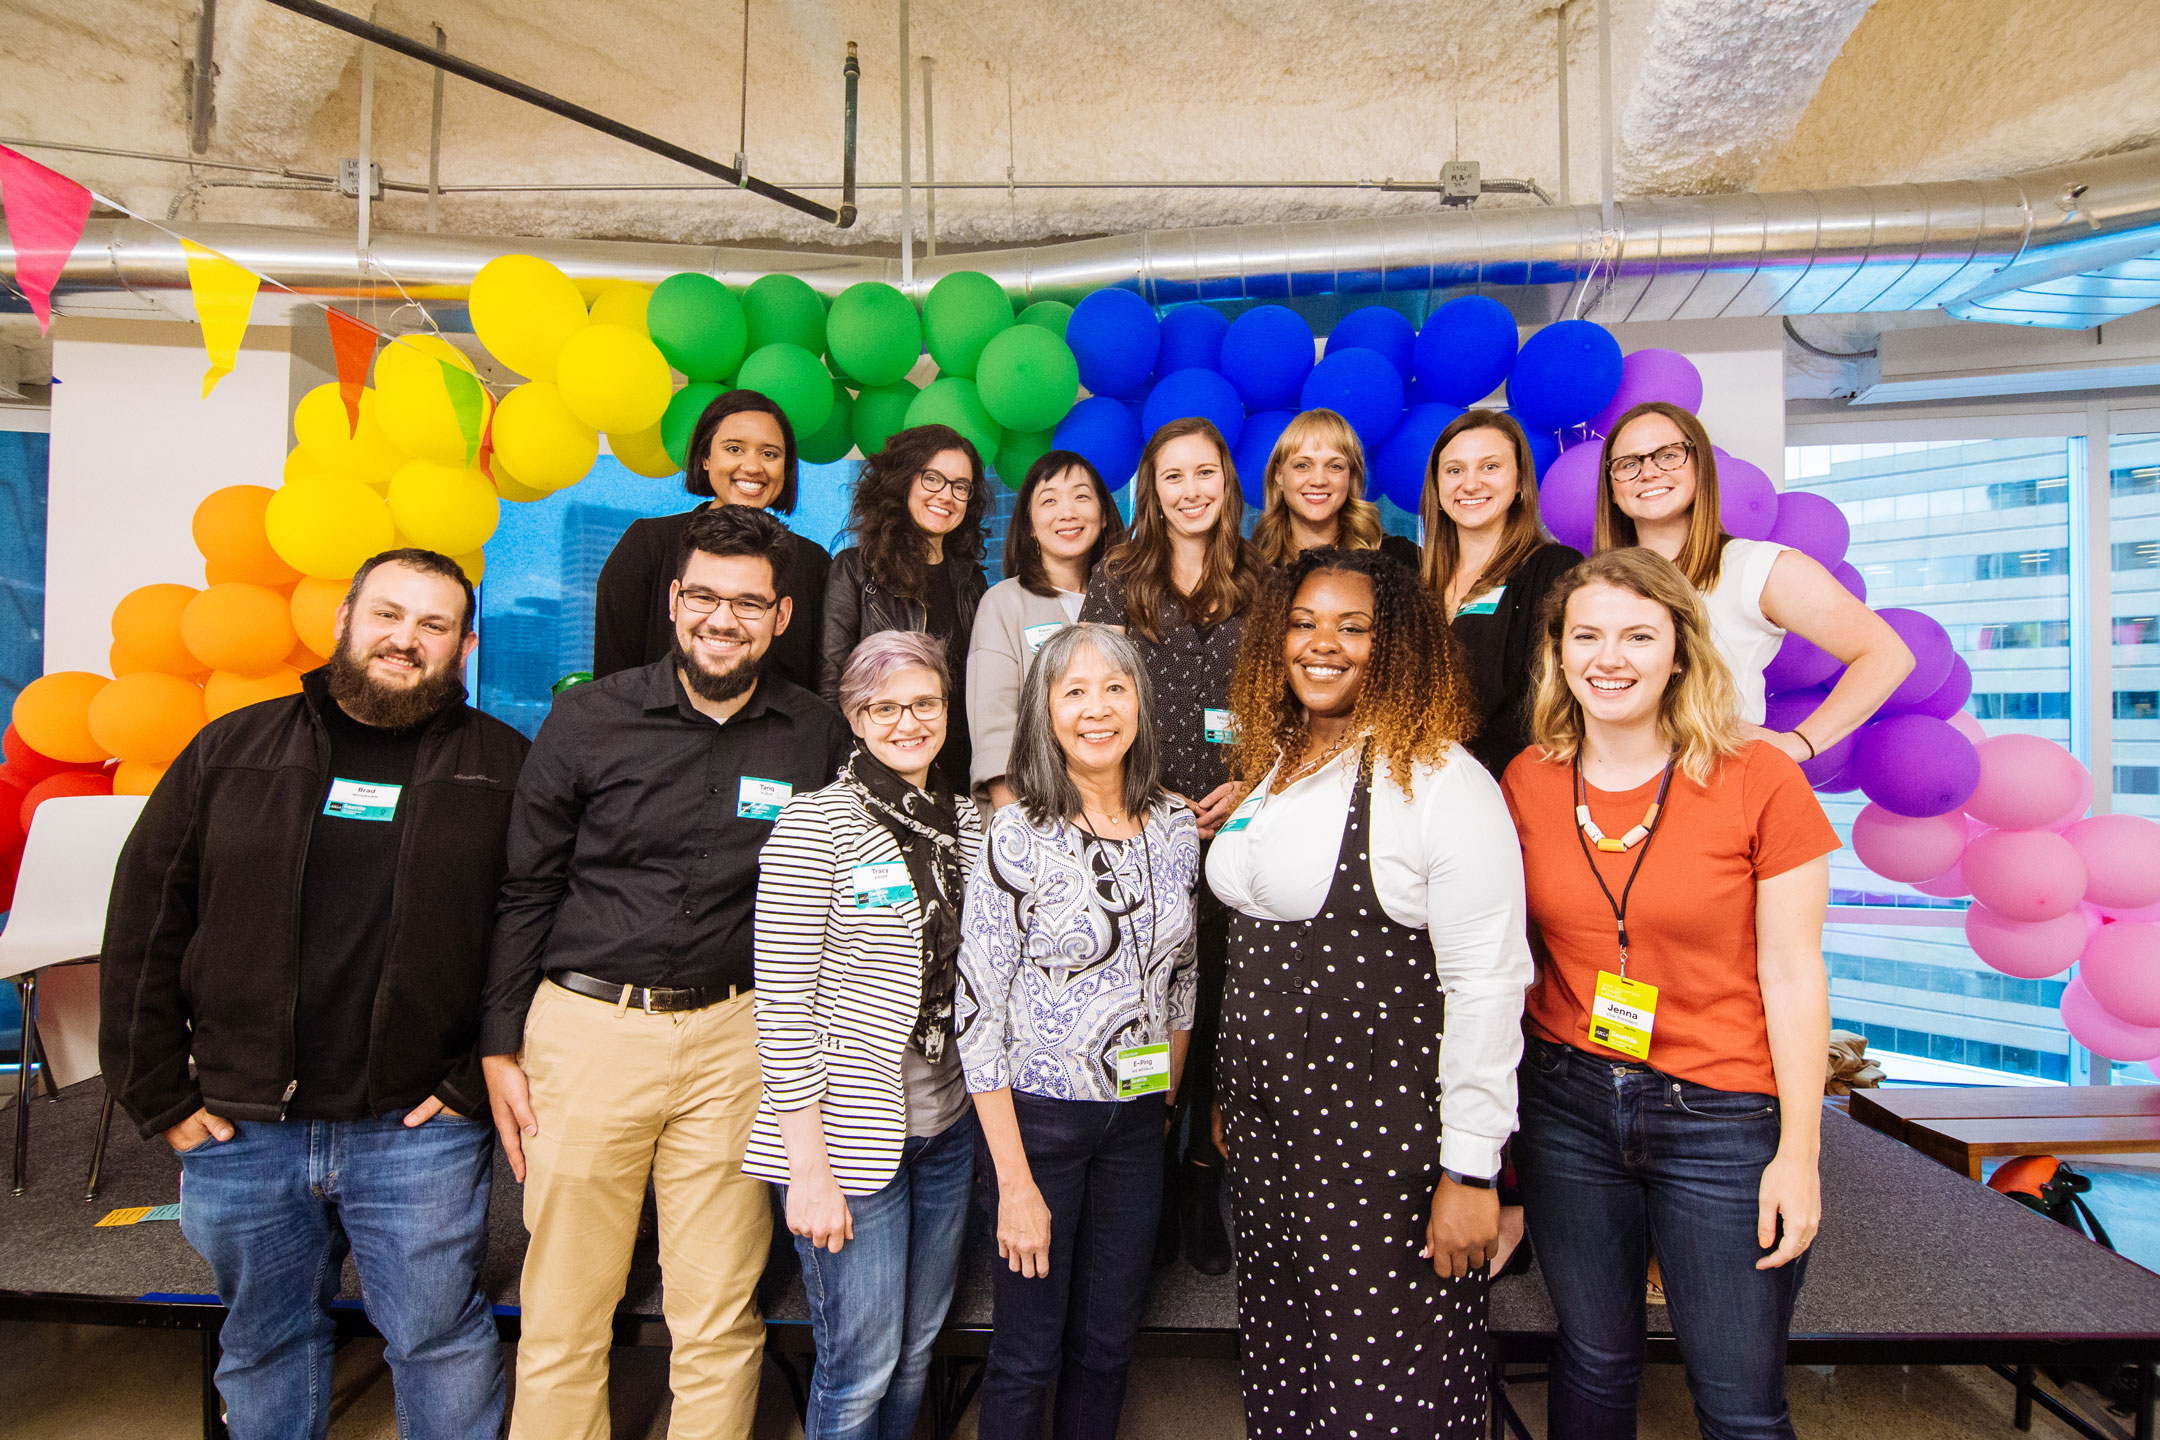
(293, 975)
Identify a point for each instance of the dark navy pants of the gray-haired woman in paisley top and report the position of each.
(1101, 1171)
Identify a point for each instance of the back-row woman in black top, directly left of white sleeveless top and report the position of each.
(1489, 567)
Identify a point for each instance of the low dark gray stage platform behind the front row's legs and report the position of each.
(1915, 1266)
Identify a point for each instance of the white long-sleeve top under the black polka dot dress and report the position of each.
(1446, 862)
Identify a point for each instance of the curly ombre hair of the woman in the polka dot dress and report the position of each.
(1414, 698)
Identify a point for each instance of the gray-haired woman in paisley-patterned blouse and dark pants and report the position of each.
(1075, 1011)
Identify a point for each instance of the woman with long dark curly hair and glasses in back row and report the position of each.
(917, 565)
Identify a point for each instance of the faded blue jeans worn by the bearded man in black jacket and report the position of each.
(278, 1208)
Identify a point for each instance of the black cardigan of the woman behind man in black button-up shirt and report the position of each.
(630, 606)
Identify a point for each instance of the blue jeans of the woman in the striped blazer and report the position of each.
(878, 1305)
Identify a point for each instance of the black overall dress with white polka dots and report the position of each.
(1329, 1081)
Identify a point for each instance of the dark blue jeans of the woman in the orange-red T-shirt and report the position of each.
(1615, 1154)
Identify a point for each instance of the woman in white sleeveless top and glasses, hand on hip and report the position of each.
(1658, 487)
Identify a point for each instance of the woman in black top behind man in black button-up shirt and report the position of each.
(740, 454)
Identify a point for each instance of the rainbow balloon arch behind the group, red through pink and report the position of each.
(429, 454)
